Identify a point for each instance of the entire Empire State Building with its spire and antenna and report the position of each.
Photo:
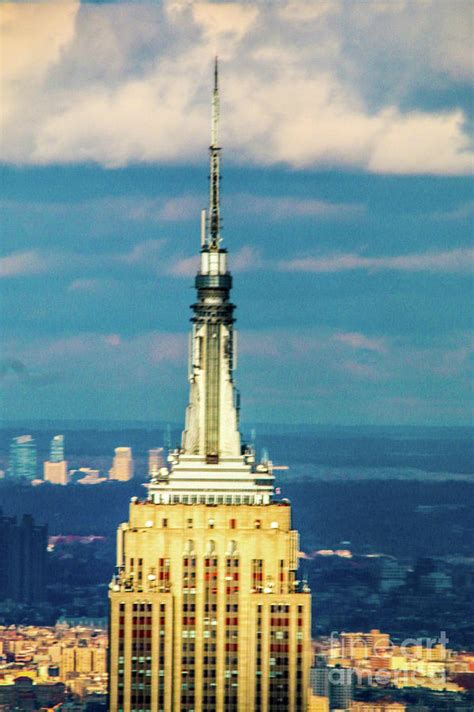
(206, 614)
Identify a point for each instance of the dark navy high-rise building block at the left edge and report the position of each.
(23, 559)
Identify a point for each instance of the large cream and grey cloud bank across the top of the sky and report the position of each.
(303, 84)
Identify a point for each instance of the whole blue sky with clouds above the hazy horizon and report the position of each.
(347, 206)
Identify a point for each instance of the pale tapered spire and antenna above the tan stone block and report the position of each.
(211, 466)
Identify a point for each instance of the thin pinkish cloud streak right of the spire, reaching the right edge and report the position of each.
(457, 260)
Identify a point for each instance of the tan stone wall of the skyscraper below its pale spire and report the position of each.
(178, 531)
